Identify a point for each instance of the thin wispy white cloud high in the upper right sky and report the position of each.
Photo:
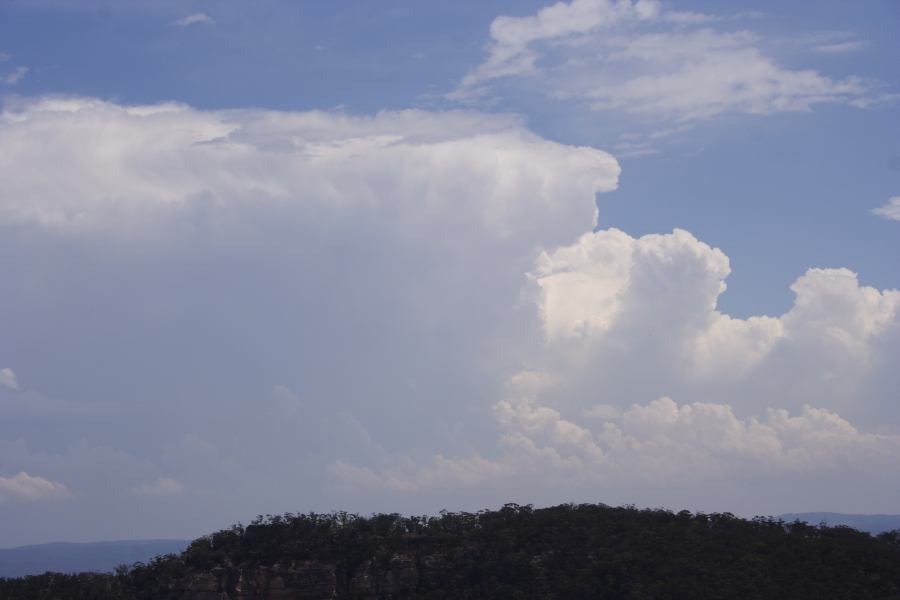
(639, 58)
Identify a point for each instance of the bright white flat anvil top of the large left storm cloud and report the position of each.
(151, 161)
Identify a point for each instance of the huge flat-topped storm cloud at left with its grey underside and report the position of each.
(367, 235)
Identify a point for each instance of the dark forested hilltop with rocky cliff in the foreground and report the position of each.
(564, 552)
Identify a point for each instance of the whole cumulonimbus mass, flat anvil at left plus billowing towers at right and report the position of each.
(431, 286)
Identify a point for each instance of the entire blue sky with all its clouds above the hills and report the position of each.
(411, 256)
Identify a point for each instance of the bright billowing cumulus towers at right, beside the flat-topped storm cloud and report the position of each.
(622, 315)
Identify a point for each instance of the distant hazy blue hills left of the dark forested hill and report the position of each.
(65, 557)
